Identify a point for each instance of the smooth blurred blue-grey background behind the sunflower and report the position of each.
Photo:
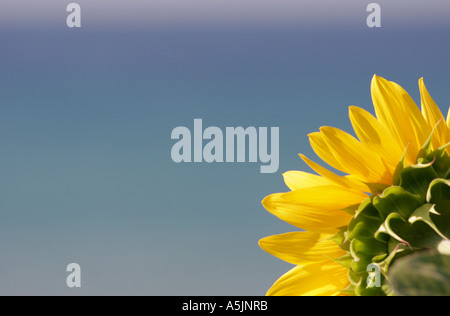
(86, 116)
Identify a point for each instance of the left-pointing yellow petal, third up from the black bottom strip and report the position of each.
(305, 217)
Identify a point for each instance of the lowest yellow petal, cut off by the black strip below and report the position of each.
(316, 279)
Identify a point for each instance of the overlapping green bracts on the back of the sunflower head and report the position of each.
(411, 216)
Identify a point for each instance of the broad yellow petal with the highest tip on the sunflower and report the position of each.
(396, 110)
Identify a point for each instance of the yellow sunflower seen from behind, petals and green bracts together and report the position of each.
(390, 201)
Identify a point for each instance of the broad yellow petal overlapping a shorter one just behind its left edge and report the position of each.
(356, 158)
